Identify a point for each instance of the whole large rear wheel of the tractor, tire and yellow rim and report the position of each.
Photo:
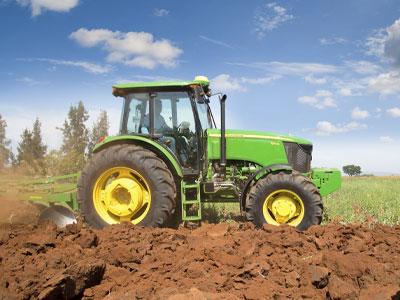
(126, 183)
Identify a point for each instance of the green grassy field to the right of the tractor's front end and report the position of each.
(365, 198)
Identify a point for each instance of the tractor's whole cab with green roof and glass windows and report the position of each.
(174, 114)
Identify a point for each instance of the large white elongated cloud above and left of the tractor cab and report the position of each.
(131, 48)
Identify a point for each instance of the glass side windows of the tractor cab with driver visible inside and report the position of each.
(171, 122)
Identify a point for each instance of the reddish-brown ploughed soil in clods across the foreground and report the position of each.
(237, 261)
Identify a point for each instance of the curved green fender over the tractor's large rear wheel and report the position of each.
(147, 143)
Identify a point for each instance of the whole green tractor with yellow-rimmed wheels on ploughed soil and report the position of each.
(169, 158)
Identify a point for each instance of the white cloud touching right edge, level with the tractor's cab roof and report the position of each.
(385, 84)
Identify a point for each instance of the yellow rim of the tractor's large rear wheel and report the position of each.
(121, 194)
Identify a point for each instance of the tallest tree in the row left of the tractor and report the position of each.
(75, 140)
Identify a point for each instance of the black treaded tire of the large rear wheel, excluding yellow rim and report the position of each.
(153, 171)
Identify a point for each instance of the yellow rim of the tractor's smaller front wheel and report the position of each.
(283, 207)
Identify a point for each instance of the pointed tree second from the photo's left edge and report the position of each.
(31, 150)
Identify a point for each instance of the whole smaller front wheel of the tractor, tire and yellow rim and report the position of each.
(282, 198)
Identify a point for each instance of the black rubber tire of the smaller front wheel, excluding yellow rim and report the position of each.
(294, 183)
